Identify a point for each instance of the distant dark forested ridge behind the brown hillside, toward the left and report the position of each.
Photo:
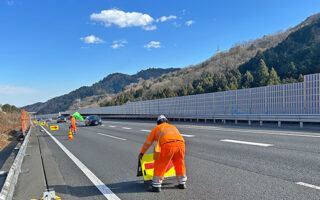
(111, 84)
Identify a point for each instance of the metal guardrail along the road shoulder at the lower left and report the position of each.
(12, 177)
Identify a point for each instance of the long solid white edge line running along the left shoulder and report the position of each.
(93, 178)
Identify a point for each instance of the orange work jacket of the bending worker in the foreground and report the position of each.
(167, 133)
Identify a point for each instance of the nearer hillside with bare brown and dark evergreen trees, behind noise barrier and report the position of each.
(280, 58)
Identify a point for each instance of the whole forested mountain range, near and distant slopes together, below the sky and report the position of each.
(283, 57)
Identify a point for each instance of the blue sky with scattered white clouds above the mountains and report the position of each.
(50, 47)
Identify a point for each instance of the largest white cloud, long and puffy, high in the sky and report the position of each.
(124, 19)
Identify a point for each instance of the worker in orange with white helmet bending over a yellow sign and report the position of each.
(172, 149)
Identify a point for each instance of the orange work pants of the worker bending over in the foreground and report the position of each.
(173, 151)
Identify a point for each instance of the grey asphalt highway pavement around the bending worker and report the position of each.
(223, 162)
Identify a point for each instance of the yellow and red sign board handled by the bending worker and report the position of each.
(147, 166)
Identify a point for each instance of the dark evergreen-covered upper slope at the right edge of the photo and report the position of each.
(298, 54)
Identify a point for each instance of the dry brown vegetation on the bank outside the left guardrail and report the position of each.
(9, 125)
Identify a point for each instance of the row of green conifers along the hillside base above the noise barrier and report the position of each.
(230, 79)
